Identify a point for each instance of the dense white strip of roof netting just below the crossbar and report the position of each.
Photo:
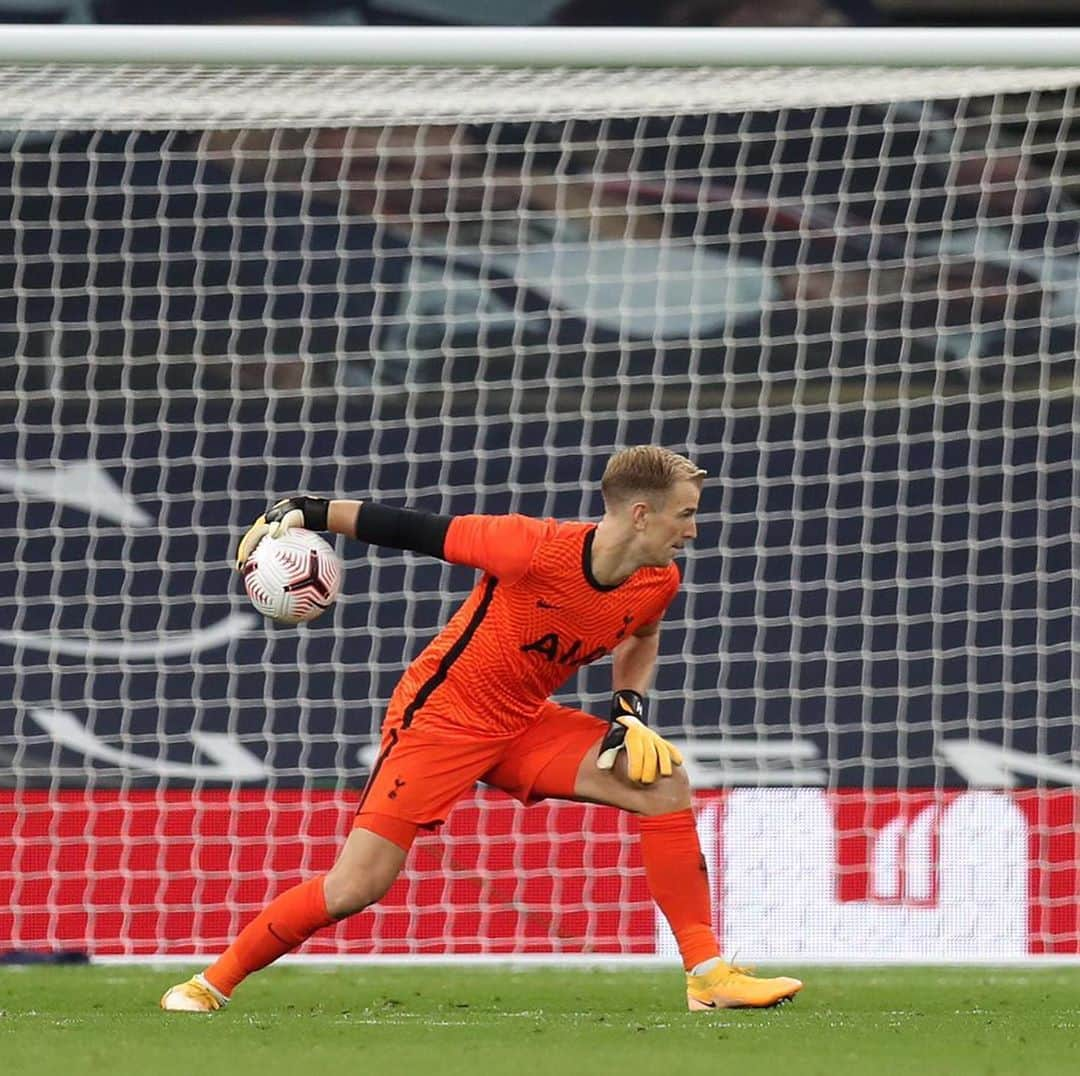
(57, 96)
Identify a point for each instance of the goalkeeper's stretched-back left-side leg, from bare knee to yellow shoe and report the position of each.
(364, 871)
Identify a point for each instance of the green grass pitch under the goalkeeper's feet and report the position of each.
(453, 1021)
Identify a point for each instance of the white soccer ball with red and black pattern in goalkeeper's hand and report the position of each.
(293, 579)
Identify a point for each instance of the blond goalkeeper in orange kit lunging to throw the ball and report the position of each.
(476, 706)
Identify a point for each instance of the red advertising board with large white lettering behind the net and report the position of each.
(152, 873)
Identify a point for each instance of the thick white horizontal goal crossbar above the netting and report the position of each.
(541, 47)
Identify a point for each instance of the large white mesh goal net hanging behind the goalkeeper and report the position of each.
(850, 293)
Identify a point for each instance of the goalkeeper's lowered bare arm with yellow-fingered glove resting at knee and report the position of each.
(649, 755)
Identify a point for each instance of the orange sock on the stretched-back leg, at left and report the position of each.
(280, 927)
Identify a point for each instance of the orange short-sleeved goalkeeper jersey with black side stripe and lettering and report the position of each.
(535, 617)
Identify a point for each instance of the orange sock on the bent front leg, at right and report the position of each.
(679, 881)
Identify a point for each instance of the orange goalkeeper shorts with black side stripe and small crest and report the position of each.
(424, 770)
